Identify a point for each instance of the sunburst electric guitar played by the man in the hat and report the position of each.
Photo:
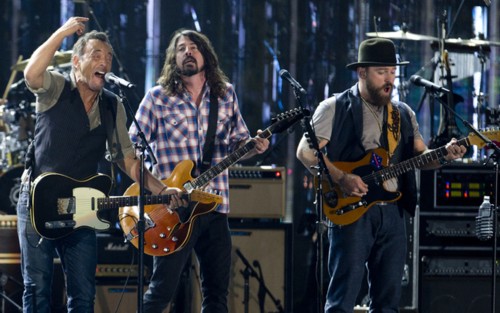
(375, 171)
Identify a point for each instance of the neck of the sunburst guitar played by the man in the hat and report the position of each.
(412, 164)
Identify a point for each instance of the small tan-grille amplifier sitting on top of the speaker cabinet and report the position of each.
(257, 192)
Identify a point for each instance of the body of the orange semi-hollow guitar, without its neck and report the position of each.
(169, 230)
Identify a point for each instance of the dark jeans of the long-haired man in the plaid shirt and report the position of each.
(211, 241)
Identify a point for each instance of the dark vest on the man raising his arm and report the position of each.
(64, 142)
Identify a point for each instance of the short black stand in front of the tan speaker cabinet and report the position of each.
(263, 290)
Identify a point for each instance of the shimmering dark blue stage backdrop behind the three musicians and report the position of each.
(313, 40)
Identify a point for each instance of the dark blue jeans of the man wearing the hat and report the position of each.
(376, 241)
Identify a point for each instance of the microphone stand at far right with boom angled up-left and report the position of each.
(494, 156)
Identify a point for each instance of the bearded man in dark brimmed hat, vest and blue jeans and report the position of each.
(349, 125)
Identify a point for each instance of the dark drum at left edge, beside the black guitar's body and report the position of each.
(10, 187)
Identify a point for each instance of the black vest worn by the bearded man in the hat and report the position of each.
(347, 146)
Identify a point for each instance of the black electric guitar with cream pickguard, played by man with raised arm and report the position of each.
(61, 204)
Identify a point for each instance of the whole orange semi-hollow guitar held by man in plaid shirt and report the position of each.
(169, 231)
